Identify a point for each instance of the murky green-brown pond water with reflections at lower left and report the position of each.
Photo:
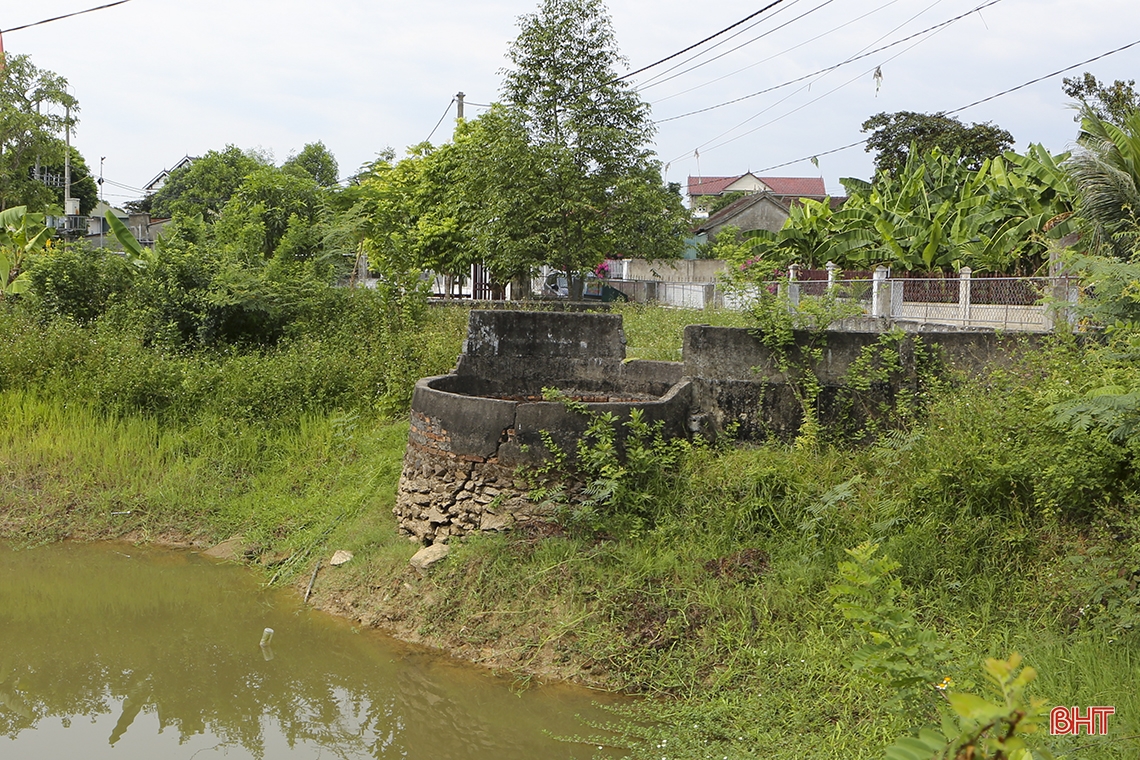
(113, 651)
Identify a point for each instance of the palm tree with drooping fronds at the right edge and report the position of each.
(1106, 171)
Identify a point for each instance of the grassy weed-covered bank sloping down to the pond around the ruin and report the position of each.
(1013, 534)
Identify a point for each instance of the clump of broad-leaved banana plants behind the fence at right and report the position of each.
(934, 214)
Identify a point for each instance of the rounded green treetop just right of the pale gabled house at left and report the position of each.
(206, 186)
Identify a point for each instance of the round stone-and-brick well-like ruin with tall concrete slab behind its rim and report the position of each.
(474, 430)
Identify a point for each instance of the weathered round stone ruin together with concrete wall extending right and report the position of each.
(477, 430)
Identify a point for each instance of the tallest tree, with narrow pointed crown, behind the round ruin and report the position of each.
(555, 177)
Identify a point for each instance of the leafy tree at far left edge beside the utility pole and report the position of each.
(34, 111)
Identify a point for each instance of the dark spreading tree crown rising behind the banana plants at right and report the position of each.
(893, 137)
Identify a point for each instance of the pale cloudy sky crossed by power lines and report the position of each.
(158, 80)
